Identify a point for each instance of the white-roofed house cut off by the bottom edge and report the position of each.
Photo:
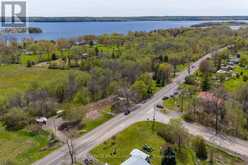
(137, 157)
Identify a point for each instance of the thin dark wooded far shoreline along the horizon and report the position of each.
(128, 19)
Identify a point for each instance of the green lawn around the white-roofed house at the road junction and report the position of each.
(131, 138)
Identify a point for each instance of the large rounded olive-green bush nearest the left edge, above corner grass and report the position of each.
(15, 119)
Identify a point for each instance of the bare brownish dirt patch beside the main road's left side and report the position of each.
(94, 109)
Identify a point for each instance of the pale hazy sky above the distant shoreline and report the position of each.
(137, 7)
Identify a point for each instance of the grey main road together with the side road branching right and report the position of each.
(146, 111)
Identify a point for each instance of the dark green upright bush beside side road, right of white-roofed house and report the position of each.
(200, 148)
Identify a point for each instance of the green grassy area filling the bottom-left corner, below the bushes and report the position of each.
(22, 148)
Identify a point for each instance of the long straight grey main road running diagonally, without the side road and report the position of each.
(97, 136)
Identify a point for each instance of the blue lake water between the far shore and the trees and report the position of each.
(57, 30)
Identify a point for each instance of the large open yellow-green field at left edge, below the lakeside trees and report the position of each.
(17, 78)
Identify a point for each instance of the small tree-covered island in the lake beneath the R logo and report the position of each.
(22, 30)
